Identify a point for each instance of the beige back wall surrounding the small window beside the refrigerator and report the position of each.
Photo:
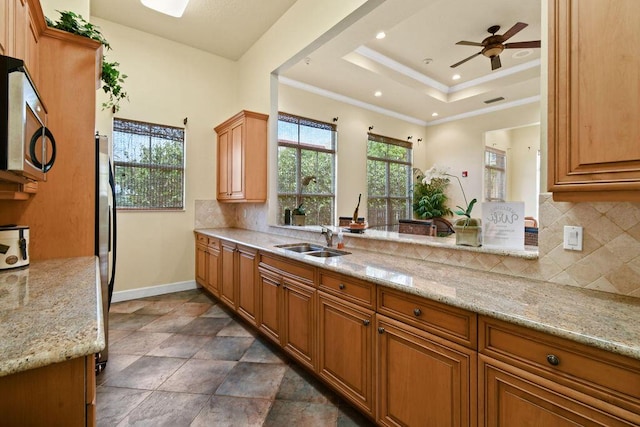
(167, 82)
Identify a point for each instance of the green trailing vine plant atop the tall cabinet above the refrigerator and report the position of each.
(112, 78)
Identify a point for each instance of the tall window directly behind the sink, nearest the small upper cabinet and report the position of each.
(306, 168)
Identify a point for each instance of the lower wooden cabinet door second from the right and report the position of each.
(423, 380)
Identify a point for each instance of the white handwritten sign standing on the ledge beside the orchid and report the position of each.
(503, 225)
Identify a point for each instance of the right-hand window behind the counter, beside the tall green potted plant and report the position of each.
(388, 181)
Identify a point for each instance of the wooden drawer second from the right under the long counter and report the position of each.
(449, 322)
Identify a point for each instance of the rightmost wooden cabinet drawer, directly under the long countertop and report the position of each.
(607, 376)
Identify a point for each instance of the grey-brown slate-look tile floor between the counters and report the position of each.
(182, 359)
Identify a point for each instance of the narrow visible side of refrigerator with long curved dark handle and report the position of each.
(105, 235)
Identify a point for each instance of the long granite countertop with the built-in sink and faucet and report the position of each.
(599, 319)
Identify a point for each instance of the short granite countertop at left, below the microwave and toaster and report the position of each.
(50, 312)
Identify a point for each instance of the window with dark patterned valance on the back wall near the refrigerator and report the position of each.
(149, 165)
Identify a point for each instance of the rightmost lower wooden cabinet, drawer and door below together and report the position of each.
(525, 374)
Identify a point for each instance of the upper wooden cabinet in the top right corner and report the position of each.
(593, 110)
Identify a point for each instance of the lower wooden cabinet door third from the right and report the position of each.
(345, 349)
